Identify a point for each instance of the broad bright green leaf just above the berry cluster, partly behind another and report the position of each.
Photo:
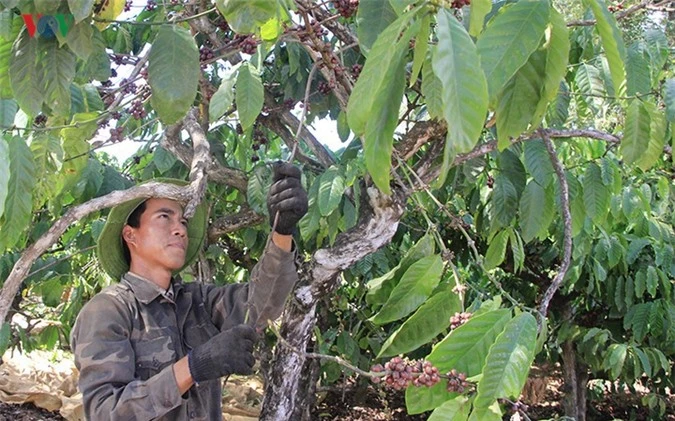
(466, 348)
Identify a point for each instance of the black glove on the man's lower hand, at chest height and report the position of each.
(229, 352)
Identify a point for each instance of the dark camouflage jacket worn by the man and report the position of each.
(127, 338)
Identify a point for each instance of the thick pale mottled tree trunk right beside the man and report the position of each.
(289, 392)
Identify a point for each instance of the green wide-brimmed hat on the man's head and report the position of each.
(110, 251)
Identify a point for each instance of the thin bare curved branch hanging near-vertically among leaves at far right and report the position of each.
(567, 233)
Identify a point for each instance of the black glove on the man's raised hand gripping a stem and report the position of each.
(286, 196)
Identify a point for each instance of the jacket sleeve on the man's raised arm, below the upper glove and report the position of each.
(272, 279)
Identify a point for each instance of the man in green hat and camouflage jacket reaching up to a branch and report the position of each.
(151, 347)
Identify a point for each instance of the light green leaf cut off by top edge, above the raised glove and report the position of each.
(245, 16)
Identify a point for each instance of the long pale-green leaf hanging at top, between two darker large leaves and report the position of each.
(455, 62)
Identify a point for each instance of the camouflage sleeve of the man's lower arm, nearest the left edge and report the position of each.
(106, 361)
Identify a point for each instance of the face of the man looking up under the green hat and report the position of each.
(160, 242)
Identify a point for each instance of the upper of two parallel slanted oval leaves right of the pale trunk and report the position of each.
(415, 286)
